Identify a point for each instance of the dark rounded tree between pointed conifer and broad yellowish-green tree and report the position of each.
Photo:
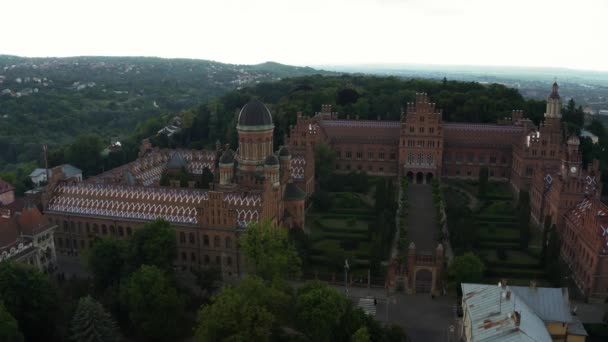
(154, 307)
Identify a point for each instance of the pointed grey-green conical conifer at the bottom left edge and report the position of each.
(91, 323)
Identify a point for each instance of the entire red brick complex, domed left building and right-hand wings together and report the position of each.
(253, 182)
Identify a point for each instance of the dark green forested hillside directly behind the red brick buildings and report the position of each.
(368, 97)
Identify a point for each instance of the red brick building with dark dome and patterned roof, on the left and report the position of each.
(251, 183)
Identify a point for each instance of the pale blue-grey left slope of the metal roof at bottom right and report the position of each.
(492, 315)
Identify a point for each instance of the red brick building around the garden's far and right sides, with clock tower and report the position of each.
(420, 146)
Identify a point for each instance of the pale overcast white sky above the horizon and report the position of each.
(536, 33)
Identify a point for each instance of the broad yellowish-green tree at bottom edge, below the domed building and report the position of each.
(250, 311)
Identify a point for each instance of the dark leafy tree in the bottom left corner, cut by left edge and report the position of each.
(29, 297)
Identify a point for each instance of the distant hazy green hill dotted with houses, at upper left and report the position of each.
(51, 100)
